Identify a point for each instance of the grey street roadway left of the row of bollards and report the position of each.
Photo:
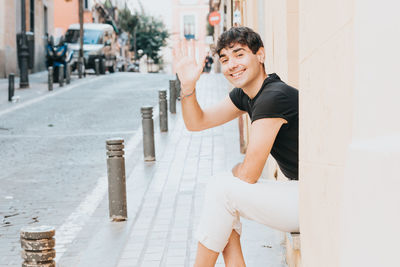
(53, 151)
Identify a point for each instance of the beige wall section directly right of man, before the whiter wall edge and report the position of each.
(326, 95)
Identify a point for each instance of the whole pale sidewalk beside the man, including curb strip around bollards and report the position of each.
(165, 199)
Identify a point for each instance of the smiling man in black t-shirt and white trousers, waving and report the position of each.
(273, 108)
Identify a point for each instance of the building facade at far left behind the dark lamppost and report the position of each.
(39, 21)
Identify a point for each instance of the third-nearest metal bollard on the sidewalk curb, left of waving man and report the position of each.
(148, 134)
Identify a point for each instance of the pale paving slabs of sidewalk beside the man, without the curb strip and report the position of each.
(162, 233)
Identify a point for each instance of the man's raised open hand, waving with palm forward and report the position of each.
(187, 68)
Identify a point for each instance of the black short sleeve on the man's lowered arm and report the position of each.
(272, 104)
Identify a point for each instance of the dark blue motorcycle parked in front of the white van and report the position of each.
(57, 55)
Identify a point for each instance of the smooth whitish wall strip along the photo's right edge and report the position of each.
(370, 230)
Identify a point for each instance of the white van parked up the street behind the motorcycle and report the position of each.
(99, 42)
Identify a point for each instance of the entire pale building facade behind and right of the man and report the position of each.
(344, 58)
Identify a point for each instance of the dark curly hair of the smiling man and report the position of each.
(241, 35)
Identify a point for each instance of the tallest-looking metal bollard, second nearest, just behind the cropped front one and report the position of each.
(116, 179)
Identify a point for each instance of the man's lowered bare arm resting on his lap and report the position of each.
(262, 136)
